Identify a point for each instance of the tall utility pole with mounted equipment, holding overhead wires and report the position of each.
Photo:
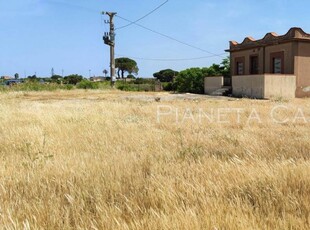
(109, 39)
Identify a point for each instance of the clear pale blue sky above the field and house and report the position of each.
(38, 35)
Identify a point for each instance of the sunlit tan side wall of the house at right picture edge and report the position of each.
(302, 70)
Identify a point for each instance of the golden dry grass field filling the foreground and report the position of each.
(115, 160)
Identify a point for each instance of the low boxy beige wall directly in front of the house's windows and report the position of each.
(264, 86)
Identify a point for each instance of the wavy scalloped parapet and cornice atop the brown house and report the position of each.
(272, 38)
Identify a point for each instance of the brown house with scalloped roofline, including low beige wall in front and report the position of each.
(272, 66)
